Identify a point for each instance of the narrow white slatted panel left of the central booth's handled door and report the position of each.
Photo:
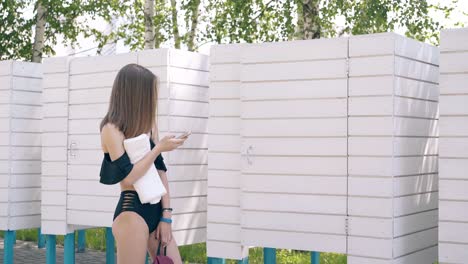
(223, 230)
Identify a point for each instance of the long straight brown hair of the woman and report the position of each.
(133, 101)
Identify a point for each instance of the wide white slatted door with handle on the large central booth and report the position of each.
(294, 127)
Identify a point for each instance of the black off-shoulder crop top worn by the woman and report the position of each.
(115, 171)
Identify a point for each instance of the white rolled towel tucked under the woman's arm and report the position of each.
(149, 187)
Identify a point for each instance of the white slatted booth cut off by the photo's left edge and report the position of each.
(20, 144)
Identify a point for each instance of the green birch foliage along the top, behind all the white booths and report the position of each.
(207, 21)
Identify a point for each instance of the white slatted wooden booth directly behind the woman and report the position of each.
(77, 93)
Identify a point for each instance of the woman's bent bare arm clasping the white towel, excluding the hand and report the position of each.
(113, 140)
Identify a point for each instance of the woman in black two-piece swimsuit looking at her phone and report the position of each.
(137, 227)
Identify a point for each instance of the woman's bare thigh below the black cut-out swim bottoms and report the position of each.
(131, 236)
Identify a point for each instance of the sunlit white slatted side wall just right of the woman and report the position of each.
(187, 109)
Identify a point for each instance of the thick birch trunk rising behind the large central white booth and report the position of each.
(310, 19)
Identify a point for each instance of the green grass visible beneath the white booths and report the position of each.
(196, 253)
